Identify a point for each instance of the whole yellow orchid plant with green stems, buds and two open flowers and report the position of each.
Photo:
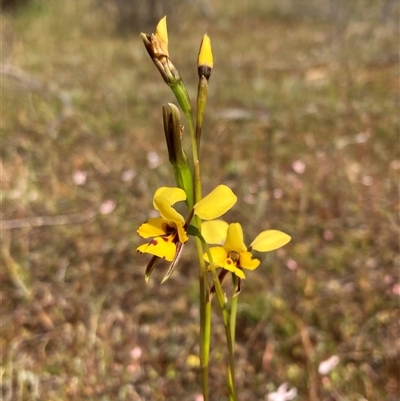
(168, 233)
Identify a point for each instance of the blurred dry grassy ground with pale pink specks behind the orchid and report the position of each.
(302, 124)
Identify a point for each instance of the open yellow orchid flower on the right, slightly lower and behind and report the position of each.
(233, 255)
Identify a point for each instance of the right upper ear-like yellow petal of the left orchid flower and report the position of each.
(216, 203)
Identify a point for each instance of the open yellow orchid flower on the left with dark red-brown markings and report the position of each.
(169, 231)
